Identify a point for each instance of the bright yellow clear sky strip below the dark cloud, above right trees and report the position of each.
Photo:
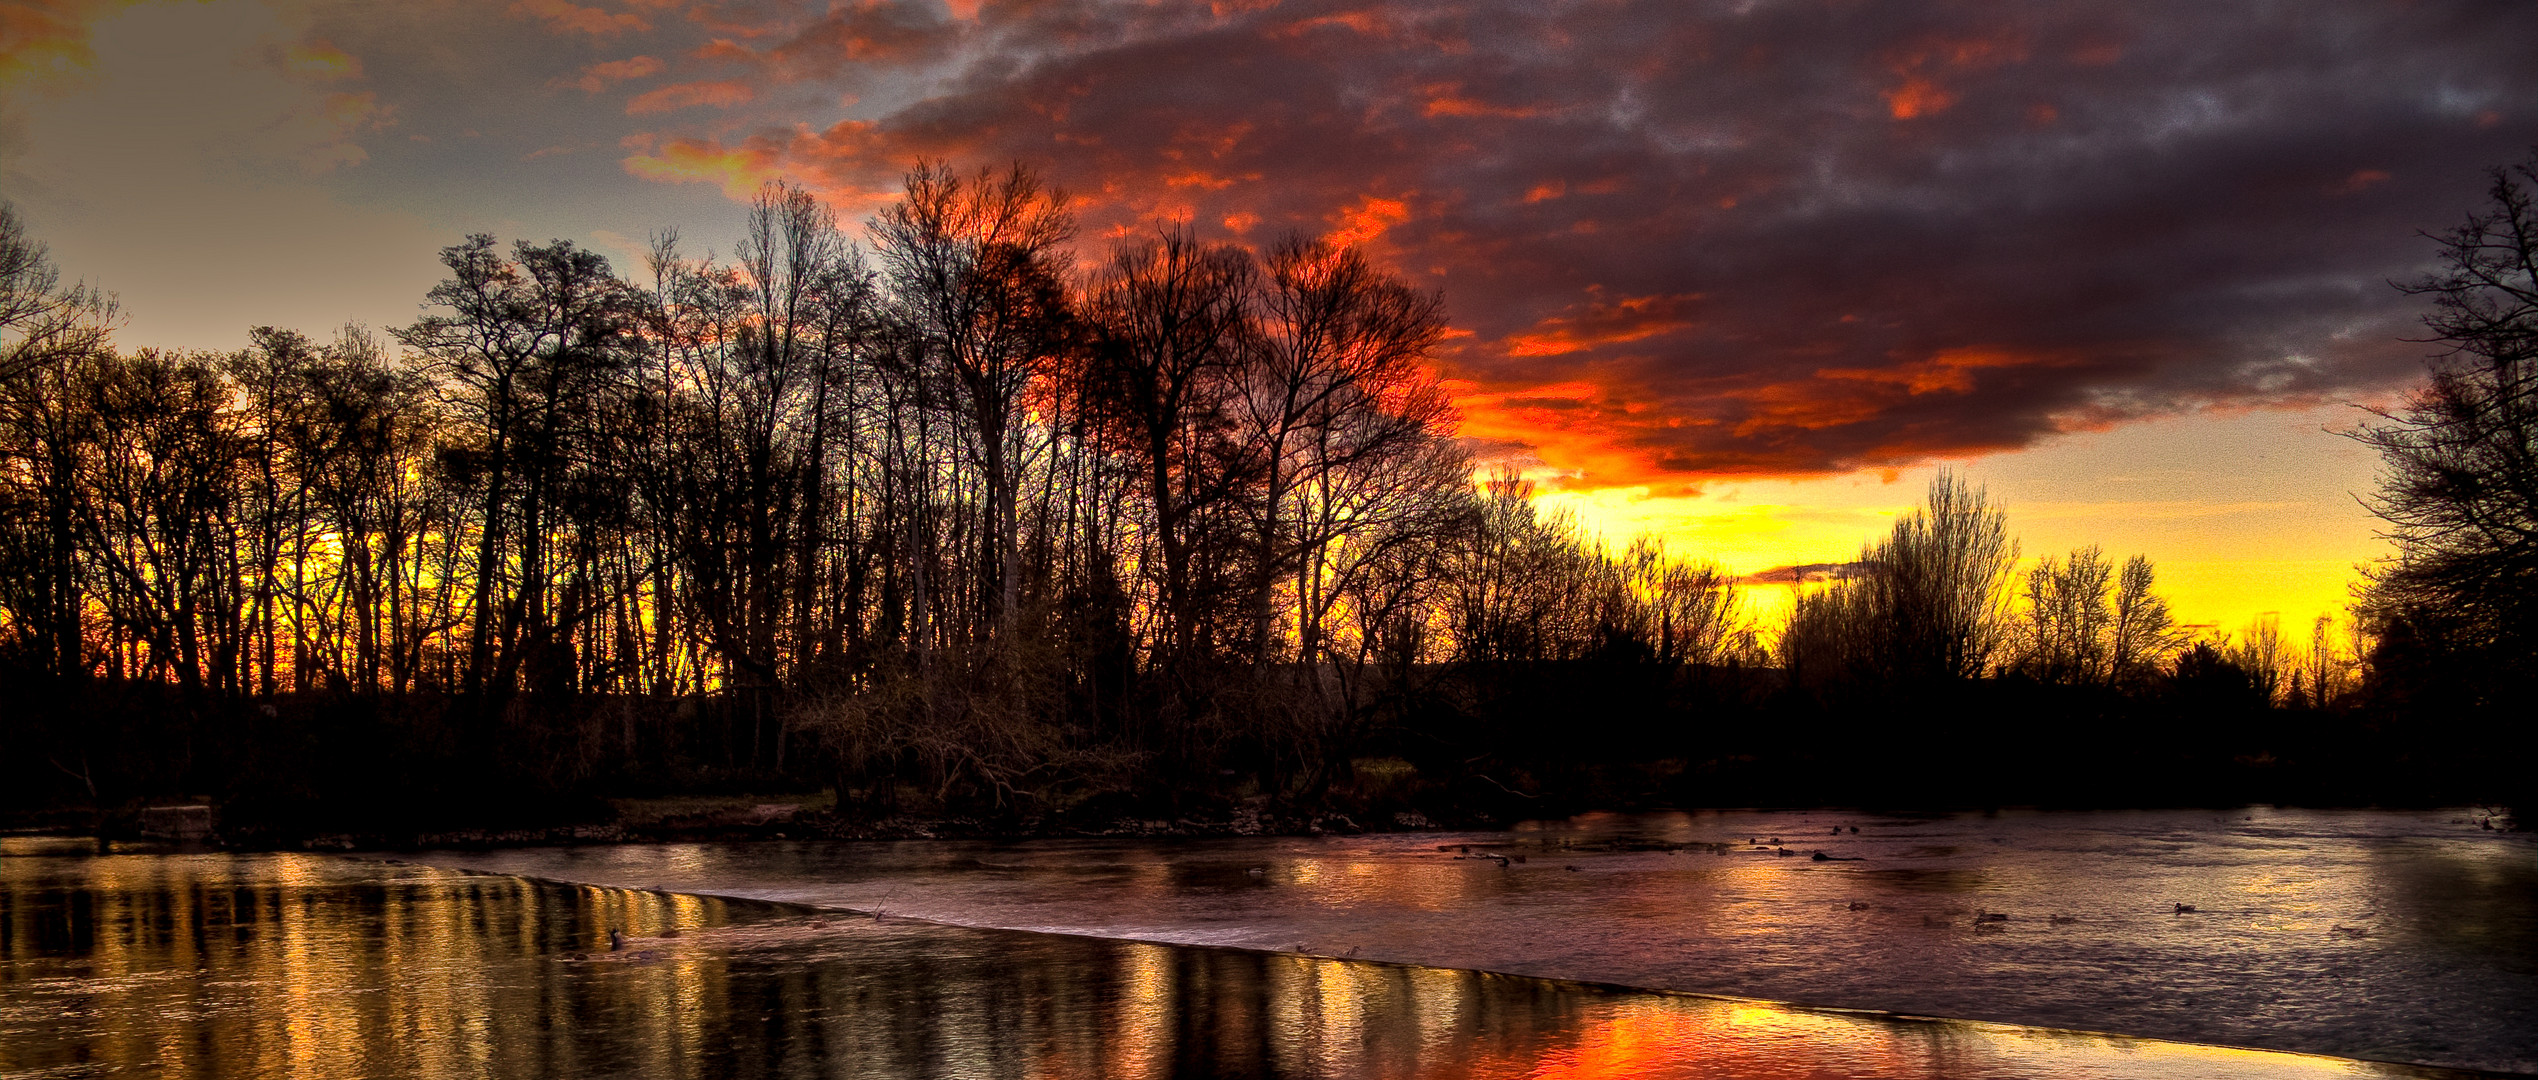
(2240, 513)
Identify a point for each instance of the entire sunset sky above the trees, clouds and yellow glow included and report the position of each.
(1732, 273)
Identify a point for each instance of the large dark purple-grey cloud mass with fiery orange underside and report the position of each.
(1755, 237)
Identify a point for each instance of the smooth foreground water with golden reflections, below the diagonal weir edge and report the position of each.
(319, 967)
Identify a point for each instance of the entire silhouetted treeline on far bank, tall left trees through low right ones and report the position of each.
(968, 524)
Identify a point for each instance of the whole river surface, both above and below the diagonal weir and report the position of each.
(2392, 937)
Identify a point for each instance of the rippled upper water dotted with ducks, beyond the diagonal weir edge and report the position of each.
(2364, 934)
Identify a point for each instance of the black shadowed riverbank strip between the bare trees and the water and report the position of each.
(1519, 744)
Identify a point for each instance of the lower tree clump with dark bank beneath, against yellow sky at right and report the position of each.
(1940, 668)
